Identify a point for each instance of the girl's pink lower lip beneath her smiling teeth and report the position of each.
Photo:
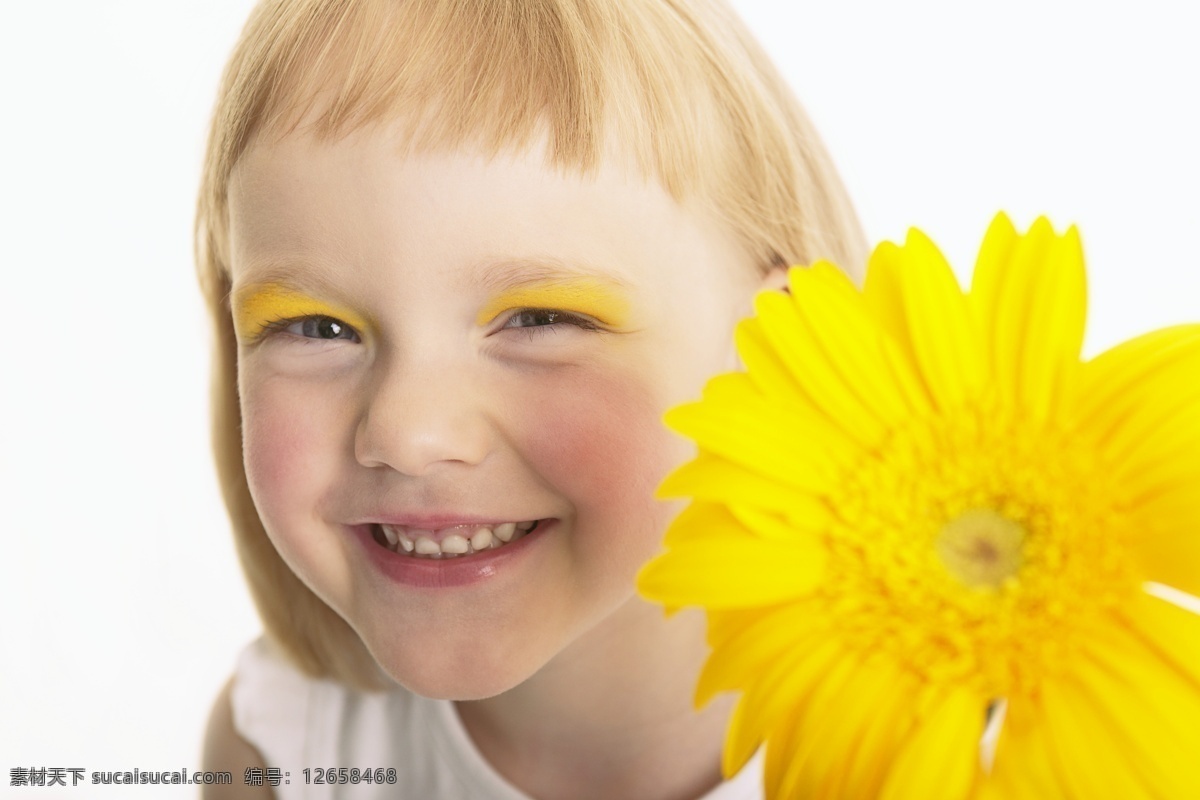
(442, 574)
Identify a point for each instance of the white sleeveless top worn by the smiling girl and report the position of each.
(299, 724)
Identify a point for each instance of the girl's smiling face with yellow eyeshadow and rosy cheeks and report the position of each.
(435, 347)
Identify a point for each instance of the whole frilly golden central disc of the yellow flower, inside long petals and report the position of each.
(977, 550)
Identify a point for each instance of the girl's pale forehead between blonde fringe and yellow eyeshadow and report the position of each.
(303, 207)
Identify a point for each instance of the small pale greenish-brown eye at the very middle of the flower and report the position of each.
(981, 548)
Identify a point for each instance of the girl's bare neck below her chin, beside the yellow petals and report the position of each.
(611, 717)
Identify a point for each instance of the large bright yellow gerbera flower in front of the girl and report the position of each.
(921, 521)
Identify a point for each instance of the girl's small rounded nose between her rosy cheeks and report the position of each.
(422, 416)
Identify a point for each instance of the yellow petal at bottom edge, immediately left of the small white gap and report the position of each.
(943, 759)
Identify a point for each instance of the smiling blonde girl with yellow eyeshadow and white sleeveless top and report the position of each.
(461, 256)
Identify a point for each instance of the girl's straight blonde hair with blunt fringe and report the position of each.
(679, 86)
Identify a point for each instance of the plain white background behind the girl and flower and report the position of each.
(122, 606)
